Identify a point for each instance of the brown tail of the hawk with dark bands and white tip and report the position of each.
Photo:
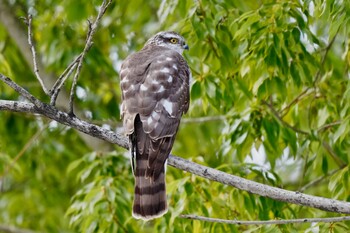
(150, 193)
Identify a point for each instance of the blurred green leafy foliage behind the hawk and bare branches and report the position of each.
(270, 101)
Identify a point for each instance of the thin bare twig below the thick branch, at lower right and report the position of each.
(267, 222)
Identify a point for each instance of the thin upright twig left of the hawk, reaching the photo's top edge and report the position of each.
(88, 44)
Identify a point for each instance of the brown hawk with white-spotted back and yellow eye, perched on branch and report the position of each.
(155, 94)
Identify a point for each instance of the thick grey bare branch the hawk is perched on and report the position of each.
(183, 164)
